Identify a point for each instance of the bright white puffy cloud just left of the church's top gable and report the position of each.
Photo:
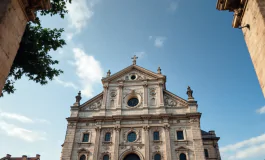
(89, 71)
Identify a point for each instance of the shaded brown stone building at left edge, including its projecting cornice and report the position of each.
(14, 15)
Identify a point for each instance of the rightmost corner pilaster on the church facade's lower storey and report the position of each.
(197, 138)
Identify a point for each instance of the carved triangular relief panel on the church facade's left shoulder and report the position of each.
(93, 104)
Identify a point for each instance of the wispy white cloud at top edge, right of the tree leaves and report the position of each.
(79, 13)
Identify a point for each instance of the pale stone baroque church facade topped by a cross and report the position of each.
(137, 118)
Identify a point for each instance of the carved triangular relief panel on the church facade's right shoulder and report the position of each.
(172, 100)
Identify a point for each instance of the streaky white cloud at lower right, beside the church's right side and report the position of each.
(251, 148)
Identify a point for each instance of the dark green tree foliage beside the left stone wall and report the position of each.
(33, 59)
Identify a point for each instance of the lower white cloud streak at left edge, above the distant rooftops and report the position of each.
(21, 133)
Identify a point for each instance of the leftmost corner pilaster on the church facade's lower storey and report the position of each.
(69, 141)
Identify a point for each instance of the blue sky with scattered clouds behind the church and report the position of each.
(192, 42)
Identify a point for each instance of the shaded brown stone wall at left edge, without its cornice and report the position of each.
(12, 26)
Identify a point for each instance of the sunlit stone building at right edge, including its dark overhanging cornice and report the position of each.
(249, 15)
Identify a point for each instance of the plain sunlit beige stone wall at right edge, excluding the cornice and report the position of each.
(254, 15)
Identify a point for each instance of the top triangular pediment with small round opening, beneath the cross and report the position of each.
(127, 73)
